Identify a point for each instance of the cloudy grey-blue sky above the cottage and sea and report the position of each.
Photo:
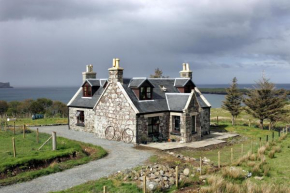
(50, 42)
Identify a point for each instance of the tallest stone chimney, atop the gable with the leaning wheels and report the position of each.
(116, 72)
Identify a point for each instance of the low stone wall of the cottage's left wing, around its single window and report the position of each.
(89, 119)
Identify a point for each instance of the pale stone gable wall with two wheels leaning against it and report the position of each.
(114, 110)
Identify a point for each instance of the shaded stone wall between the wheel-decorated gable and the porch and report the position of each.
(142, 122)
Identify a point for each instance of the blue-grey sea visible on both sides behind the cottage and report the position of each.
(64, 94)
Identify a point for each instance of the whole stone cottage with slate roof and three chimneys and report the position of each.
(140, 109)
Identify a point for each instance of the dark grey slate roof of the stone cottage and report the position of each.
(169, 100)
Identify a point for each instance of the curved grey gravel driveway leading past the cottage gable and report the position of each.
(121, 156)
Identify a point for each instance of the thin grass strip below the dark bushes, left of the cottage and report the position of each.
(29, 121)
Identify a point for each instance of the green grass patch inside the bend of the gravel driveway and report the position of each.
(27, 155)
